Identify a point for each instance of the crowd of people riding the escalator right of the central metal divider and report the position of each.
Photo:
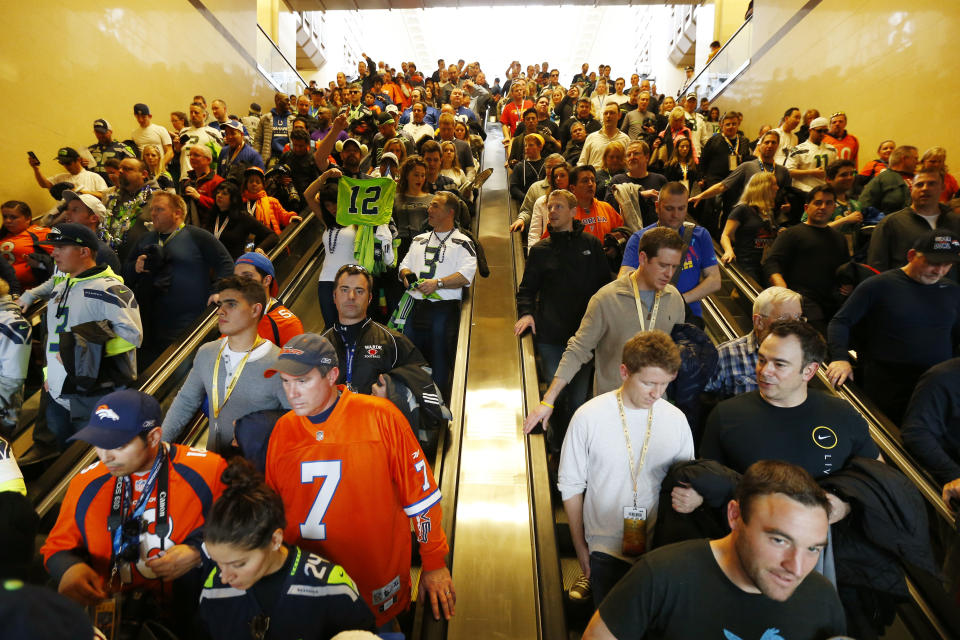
(621, 194)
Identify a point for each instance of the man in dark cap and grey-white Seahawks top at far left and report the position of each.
(94, 328)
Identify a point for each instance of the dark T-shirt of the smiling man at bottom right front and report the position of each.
(679, 592)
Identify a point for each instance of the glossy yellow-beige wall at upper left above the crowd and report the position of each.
(63, 66)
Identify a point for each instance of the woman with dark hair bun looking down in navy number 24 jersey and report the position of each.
(256, 586)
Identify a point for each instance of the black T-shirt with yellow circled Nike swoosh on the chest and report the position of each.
(819, 435)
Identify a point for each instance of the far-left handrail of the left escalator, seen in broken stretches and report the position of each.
(158, 376)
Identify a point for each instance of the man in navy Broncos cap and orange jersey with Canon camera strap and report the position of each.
(133, 520)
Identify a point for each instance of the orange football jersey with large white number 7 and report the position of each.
(350, 486)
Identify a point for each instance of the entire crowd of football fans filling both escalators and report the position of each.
(606, 177)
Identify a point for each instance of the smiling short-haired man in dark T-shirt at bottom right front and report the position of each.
(758, 581)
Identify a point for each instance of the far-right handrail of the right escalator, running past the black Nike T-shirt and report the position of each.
(879, 425)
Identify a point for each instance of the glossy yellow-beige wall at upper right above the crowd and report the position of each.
(886, 63)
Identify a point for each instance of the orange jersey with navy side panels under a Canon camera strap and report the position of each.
(194, 483)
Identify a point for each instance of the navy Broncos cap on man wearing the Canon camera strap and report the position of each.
(119, 418)
